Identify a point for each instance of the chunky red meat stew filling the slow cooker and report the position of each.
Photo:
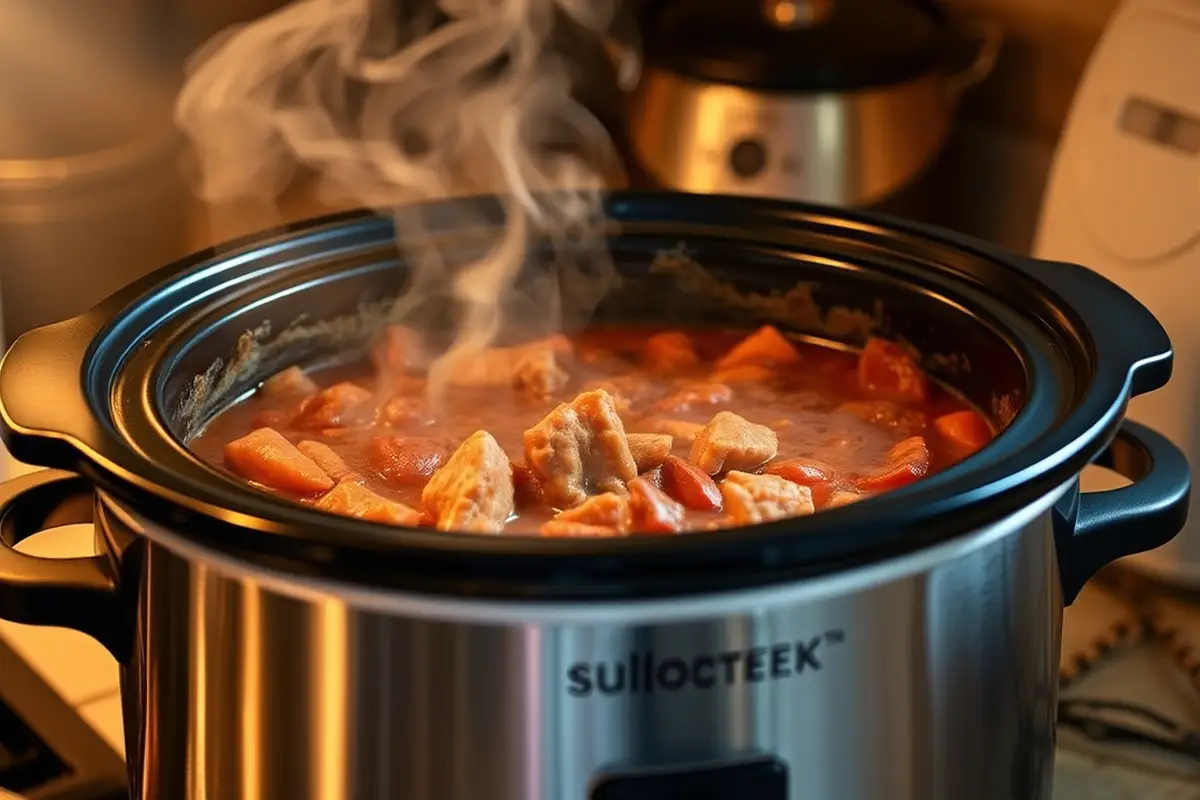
(619, 431)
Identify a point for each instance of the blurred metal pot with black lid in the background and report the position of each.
(826, 101)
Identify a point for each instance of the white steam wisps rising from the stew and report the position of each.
(398, 101)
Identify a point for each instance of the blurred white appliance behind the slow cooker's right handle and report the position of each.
(1124, 199)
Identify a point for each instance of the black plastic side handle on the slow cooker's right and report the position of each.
(1148, 514)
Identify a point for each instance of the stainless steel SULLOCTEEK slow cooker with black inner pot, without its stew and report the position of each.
(901, 648)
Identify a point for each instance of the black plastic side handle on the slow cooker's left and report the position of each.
(76, 593)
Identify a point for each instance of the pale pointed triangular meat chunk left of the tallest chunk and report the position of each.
(473, 491)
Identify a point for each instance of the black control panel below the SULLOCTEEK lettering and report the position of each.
(764, 779)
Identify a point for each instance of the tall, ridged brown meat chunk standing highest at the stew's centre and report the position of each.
(580, 449)
